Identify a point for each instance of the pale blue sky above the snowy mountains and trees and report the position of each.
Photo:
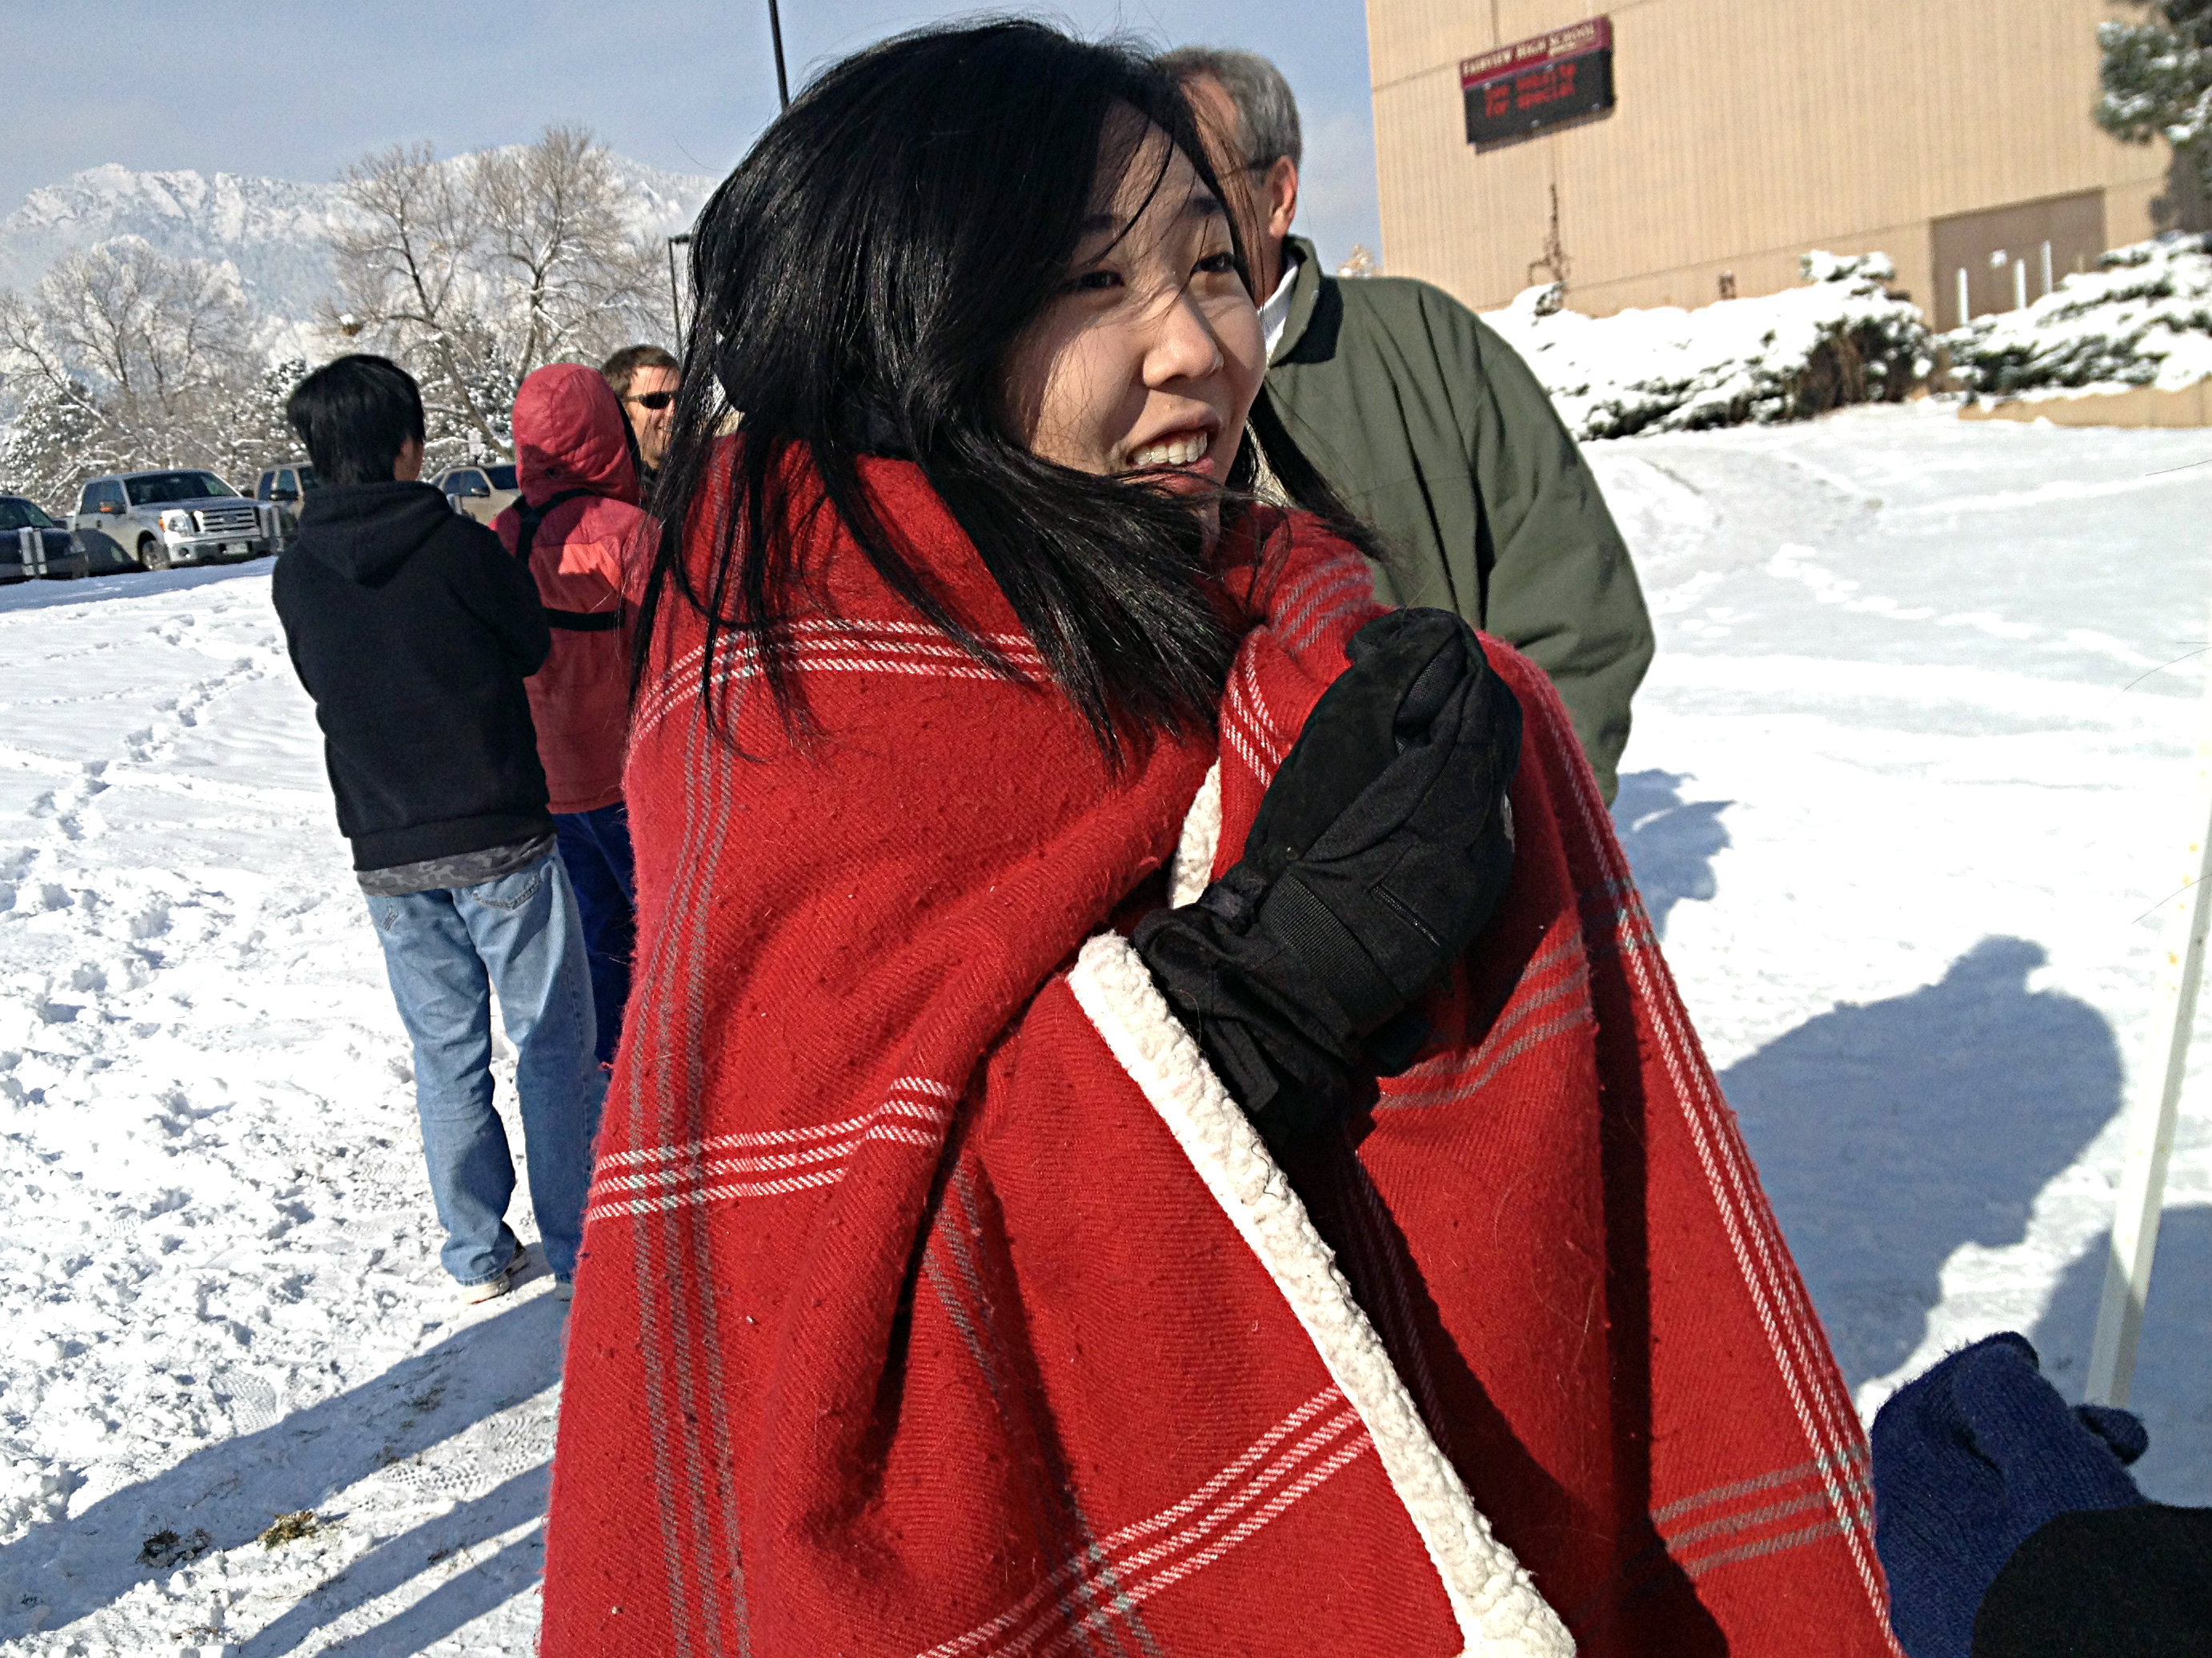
(302, 90)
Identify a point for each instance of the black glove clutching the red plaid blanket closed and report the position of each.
(1381, 850)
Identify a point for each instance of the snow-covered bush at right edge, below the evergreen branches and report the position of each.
(2145, 317)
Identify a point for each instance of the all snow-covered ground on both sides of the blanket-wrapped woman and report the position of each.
(1910, 770)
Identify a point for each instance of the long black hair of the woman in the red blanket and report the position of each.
(862, 282)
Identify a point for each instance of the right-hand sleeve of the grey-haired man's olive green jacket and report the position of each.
(1558, 580)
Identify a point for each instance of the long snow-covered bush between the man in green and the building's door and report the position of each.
(1841, 337)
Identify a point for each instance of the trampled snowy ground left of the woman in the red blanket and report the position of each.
(218, 1263)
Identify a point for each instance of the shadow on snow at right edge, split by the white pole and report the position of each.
(2173, 1383)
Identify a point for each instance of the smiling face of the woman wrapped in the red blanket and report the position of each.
(1149, 357)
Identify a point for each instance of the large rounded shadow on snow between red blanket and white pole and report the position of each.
(1890, 1135)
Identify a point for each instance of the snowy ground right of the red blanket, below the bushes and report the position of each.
(1906, 781)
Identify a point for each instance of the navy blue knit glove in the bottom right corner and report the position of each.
(1970, 1462)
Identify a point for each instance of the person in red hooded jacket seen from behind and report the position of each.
(581, 532)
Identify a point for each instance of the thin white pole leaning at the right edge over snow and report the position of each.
(2156, 1102)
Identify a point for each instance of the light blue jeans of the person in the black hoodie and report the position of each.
(446, 952)
